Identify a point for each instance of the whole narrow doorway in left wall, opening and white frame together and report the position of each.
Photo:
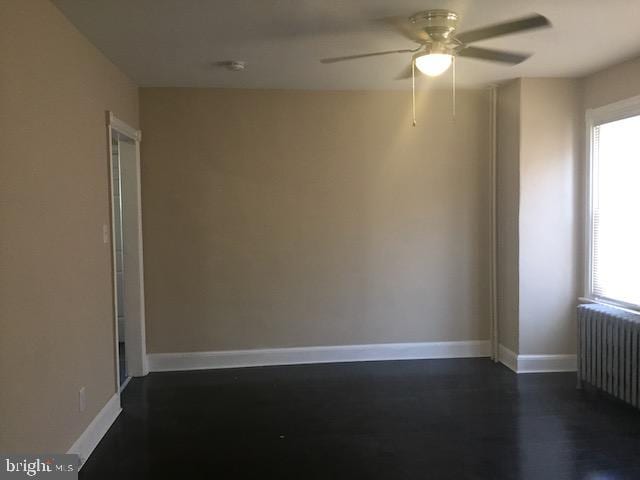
(126, 236)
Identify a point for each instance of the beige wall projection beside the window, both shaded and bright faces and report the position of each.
(539, 231)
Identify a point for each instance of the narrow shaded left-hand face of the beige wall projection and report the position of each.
(507, 209)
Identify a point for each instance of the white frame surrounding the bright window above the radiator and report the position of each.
(629, 107)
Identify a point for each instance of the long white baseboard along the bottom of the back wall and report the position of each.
(163, 362)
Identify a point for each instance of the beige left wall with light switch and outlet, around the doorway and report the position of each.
(56, 326)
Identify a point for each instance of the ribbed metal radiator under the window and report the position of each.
(609, 351)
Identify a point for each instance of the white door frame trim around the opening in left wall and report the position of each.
(136, 351)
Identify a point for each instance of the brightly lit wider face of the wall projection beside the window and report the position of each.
(550, 136)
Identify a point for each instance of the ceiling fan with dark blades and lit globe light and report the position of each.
(438, 43)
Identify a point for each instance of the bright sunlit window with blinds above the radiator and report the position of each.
(614, 226)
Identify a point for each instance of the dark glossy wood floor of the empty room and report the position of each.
(430, 419)
